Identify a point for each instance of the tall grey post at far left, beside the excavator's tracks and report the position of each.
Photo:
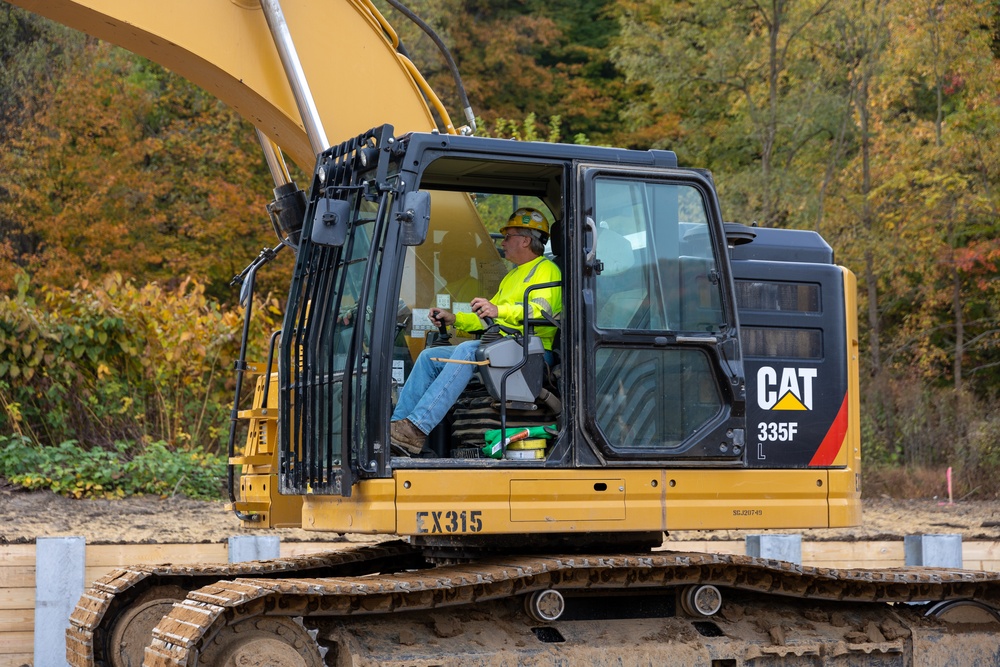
(60, 573)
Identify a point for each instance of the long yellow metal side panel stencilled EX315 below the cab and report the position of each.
(495, 501)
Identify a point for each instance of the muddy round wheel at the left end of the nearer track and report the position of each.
(263, 641)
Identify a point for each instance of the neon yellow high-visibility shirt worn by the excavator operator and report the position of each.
(509, 299)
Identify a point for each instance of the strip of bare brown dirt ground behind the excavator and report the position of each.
(26, 515)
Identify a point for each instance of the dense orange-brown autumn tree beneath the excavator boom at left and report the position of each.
(125, 167)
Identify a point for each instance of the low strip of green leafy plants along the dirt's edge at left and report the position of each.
(72, 470)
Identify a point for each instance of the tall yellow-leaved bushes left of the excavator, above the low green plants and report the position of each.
(115, 362)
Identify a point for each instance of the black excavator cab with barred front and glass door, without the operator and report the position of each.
(646, 364)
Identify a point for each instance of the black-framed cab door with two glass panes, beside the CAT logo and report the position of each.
(662, 357)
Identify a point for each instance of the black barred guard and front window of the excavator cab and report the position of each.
(339, 323)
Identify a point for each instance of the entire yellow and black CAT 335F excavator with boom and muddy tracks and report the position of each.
(704, 375)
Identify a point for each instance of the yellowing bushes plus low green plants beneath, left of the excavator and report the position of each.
(113, 389)
